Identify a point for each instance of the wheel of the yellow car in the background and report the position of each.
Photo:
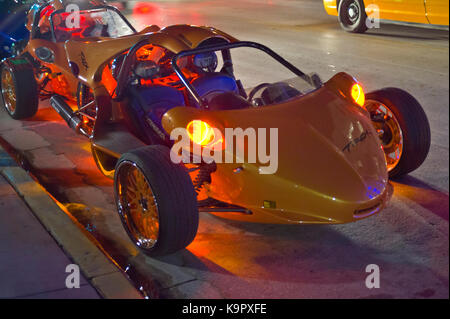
(352, 16)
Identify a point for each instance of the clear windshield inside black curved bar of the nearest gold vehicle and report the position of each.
(248, 69)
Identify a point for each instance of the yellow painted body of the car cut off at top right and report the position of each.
(415, 11)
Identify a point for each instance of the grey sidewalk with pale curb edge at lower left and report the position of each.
(38, 240)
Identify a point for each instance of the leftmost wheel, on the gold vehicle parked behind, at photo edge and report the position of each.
(19, 89)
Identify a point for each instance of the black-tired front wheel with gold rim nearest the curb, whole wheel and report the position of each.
(156, 200)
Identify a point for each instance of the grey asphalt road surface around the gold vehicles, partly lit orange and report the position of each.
(409, 240)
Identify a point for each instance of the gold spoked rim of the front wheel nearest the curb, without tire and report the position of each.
(137, 205)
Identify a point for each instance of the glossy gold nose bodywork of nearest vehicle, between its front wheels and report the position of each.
(316, 181)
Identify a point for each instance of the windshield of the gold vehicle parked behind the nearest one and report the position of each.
(103, 22)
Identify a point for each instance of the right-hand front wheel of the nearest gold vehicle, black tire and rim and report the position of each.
(403, 128)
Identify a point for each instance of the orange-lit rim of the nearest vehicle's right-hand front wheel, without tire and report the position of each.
(389, 132)
